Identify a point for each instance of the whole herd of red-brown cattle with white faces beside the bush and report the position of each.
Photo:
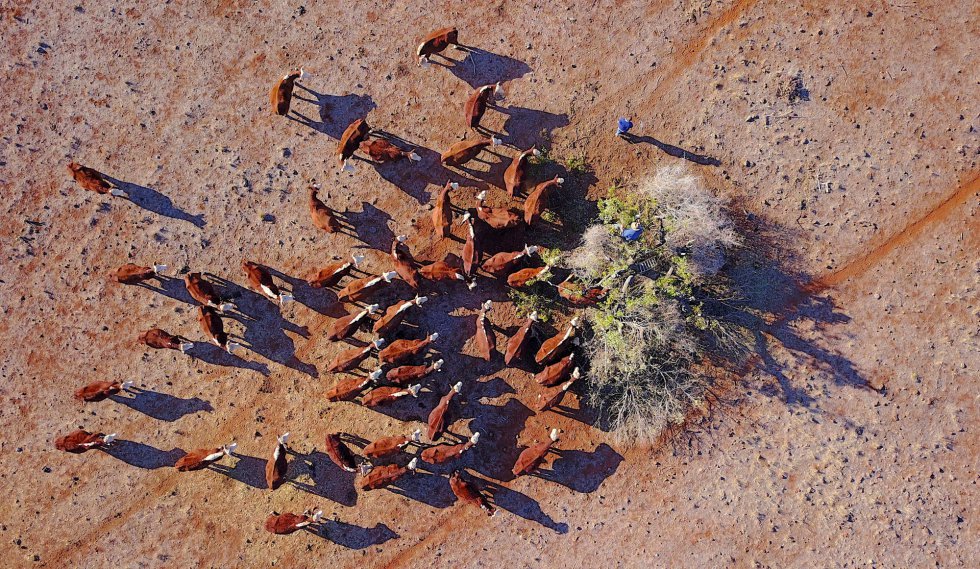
(404, 374)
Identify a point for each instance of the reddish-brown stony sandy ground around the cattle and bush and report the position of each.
(851, 442)
